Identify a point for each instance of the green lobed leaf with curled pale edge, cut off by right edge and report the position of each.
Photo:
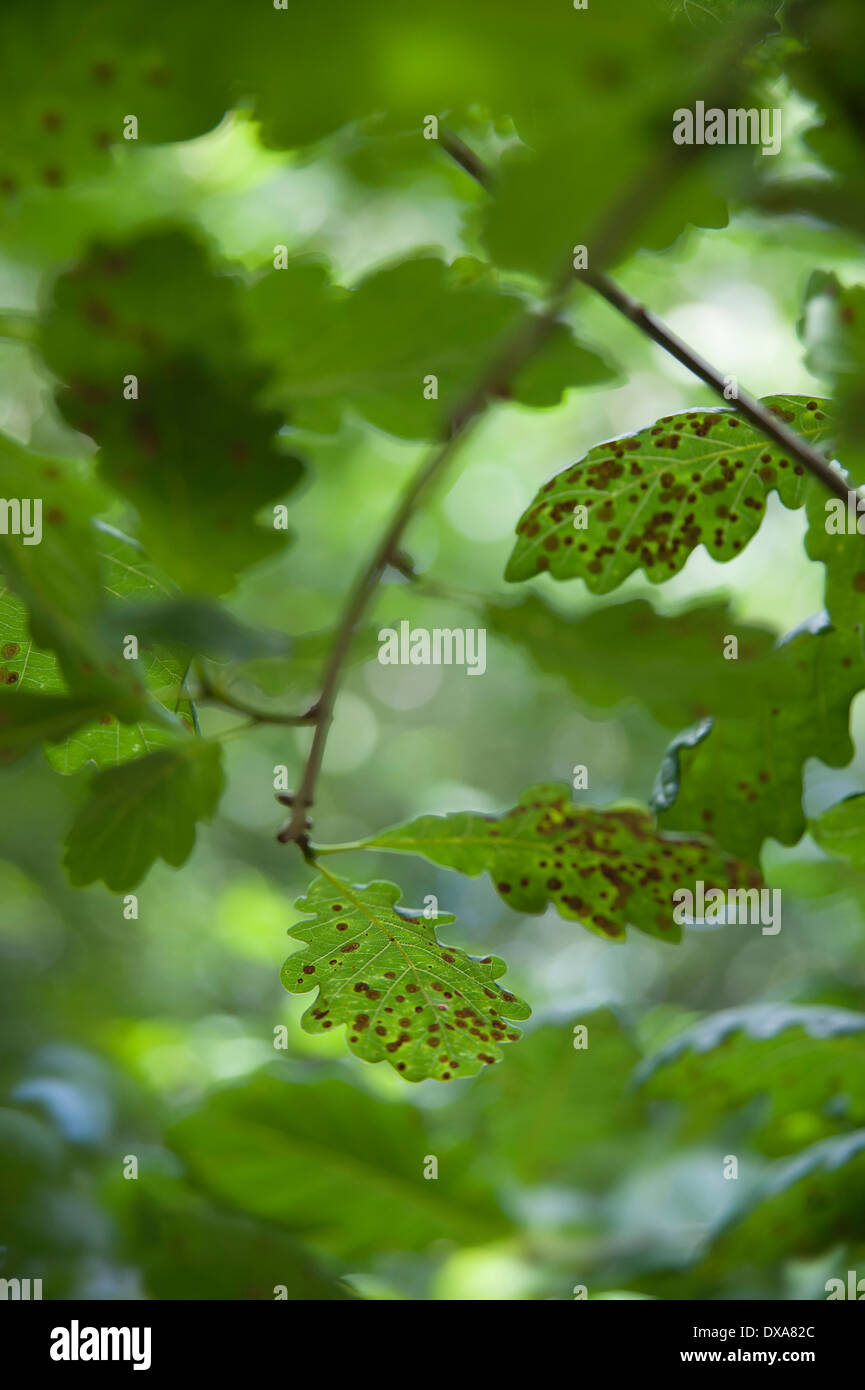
(741, 778)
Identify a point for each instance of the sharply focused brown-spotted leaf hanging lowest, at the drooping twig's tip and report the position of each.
(429, 1010)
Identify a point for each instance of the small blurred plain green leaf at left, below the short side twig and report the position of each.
(143, 811)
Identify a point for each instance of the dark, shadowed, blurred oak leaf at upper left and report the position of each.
(193, 450)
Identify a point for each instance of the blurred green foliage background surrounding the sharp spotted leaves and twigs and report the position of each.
(232, 316)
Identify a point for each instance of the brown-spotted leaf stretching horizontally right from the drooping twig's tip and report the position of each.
(606, 868)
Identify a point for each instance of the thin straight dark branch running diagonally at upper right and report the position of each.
(653, 327)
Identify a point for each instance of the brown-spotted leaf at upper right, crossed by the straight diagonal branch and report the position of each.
(699, 477)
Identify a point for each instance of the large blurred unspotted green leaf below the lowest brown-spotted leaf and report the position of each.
(336, 1164)
